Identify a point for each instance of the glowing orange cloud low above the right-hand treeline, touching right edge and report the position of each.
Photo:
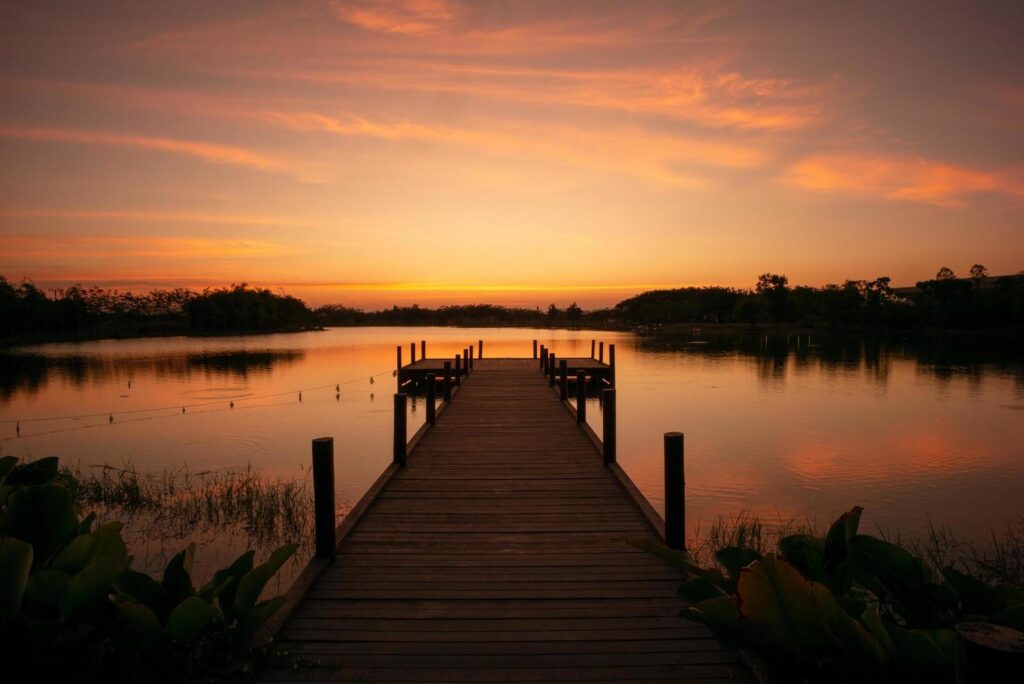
(898, 178)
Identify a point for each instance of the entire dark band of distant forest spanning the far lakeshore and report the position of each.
(977, 303)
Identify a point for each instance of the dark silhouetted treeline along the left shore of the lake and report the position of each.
(28, 314)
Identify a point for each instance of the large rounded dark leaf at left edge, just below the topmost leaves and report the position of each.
(45, 517)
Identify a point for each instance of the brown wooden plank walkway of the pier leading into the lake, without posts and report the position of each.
(499, 553)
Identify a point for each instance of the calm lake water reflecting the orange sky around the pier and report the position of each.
(784, 429)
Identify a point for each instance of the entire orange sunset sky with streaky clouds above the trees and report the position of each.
(432, 151)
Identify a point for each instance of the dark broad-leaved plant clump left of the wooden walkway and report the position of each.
(73, 610)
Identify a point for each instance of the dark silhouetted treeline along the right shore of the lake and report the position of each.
(946, 302)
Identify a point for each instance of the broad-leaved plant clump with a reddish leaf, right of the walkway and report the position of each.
(844, 607)
